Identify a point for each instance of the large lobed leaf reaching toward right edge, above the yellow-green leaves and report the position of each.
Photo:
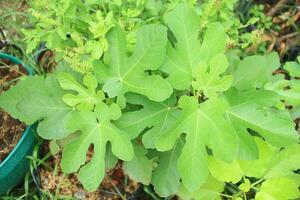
(252, 110)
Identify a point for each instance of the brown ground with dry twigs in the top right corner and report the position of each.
(286, 16)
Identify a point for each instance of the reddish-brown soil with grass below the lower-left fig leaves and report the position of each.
(115, 186)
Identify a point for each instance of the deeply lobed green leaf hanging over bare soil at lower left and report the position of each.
(95, 129)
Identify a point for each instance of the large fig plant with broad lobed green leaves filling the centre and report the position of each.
(182, 114)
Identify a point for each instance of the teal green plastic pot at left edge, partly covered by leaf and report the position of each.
(16, 164)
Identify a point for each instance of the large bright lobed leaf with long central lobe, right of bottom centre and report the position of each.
(204, 125)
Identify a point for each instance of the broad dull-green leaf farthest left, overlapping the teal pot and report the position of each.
(36, 98)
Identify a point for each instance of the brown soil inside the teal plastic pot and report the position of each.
(11, 130)
